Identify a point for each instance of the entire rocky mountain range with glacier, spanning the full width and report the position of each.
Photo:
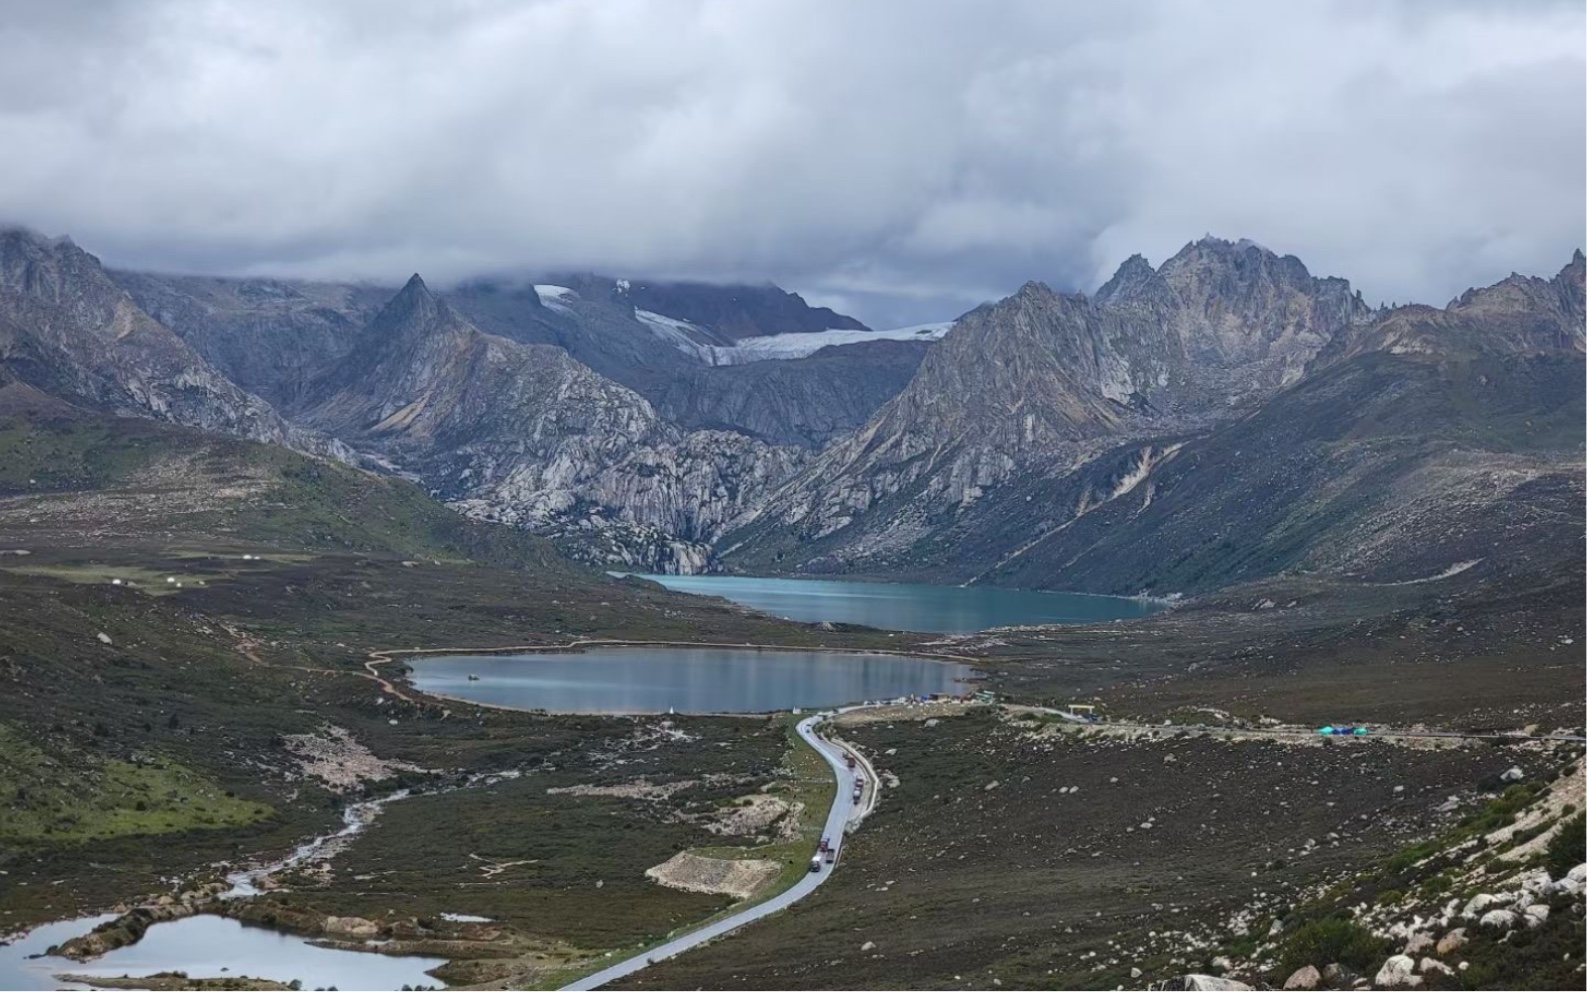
(1224, 416)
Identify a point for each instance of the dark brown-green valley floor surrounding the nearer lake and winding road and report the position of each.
(213, 708)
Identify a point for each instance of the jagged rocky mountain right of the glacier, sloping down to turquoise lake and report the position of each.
(1209, 435)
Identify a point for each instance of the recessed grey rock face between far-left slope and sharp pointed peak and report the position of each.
(271, 337)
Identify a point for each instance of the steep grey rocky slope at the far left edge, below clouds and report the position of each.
(69, 331)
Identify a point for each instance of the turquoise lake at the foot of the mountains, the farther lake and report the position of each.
(909, 607)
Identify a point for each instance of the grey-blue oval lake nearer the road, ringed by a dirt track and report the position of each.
(688, 681)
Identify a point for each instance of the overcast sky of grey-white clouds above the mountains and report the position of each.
(901, 161)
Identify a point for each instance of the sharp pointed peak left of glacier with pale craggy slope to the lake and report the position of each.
(525, 434)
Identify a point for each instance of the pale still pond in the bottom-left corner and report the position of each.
(207, 945)
